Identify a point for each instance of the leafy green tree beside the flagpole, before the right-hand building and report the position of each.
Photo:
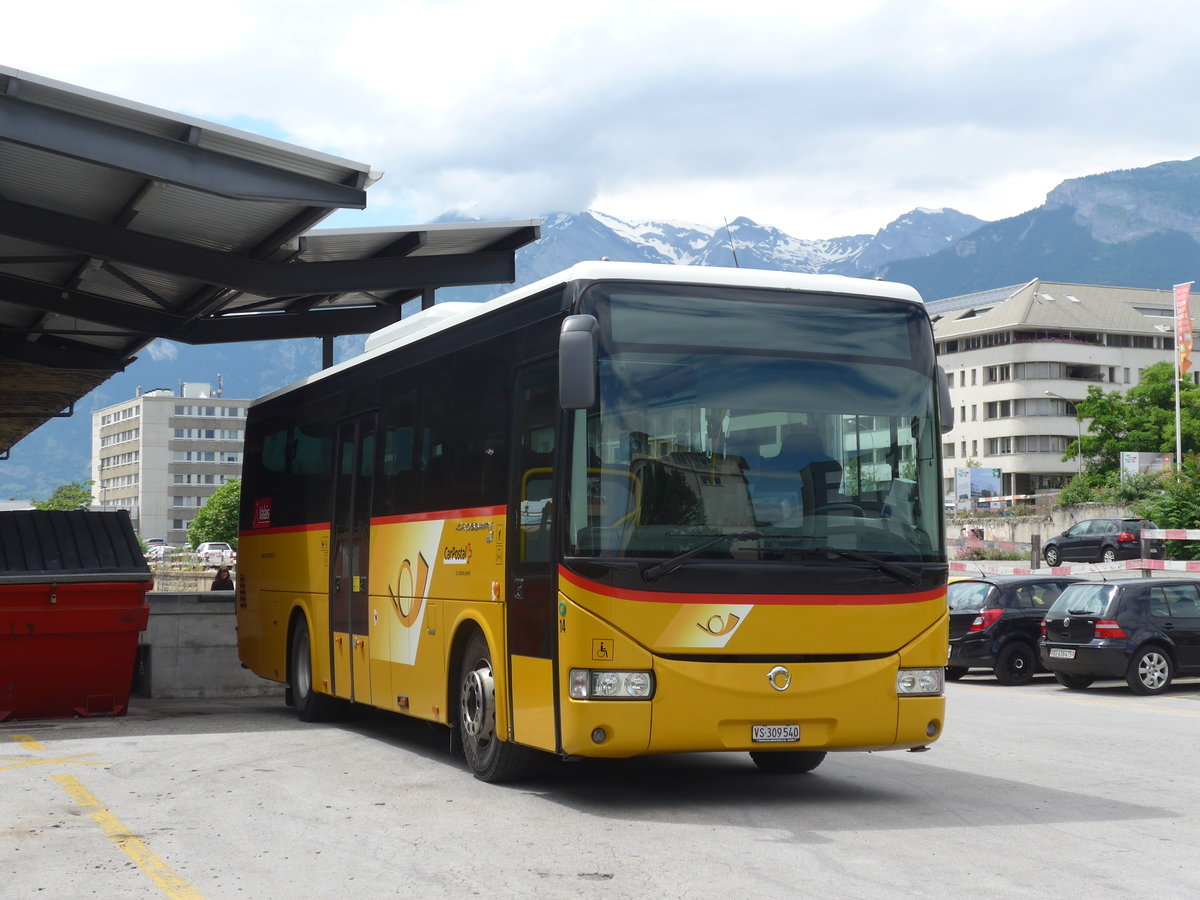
(1142, 419)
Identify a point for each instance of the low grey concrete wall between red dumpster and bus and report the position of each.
(190, 650)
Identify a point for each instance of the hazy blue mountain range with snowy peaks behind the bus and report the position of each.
(1136, 229)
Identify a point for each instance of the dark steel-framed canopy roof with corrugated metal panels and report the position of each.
(121, 224)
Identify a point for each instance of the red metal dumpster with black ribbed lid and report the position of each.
(73, 603)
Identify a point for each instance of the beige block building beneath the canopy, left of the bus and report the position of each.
(161, 455)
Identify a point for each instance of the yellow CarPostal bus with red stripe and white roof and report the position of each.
(629, 509)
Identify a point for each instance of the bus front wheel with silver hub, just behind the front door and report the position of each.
(490, 759)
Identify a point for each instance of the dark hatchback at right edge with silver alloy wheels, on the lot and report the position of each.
(1145, 631)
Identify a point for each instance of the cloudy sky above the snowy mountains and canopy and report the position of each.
(824, 119)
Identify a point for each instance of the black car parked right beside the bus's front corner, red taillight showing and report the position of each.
(995, 623)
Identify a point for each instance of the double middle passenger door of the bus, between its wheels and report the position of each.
(350, 562)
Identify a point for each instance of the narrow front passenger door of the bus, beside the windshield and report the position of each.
(531, 592)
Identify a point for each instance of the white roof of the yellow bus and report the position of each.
(449, 315)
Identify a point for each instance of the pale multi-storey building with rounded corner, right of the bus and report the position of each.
(1021, 358)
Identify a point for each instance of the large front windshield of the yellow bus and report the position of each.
(789, 422)
